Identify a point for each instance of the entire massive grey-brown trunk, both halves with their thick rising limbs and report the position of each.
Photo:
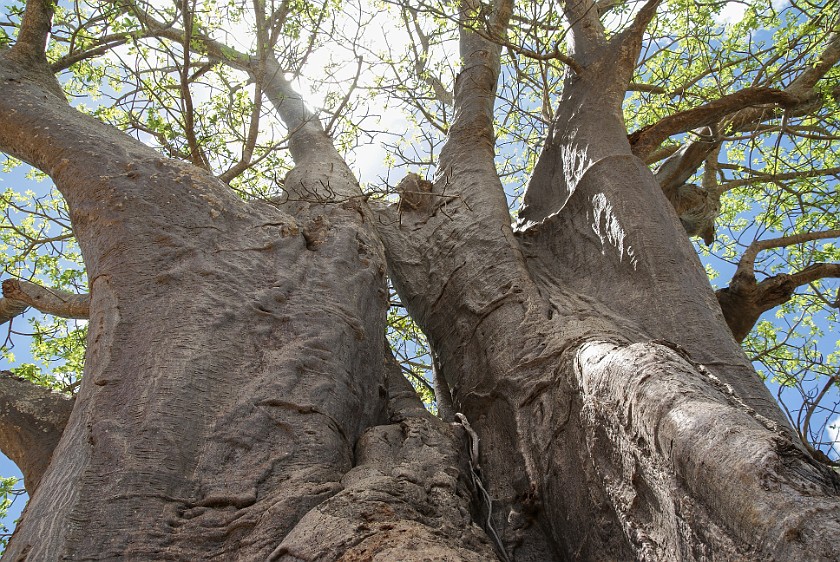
(239, 401)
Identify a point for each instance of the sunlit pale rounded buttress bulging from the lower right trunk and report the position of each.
(666, 434)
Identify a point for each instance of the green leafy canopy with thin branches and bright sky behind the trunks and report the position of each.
(732, 105)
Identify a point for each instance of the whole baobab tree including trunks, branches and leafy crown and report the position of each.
(239, 399)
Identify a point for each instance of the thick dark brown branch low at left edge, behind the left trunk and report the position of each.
(32, 419)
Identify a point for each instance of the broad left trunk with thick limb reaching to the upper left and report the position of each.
(235, 397)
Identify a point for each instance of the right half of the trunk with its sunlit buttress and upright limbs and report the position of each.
(587, 348)
